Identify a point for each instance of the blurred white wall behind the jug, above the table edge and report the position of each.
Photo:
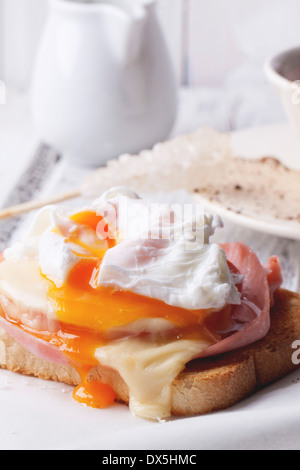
(212, 38)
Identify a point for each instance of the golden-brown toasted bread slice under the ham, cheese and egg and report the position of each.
(205, 385)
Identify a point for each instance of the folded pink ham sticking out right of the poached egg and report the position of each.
(250, 321)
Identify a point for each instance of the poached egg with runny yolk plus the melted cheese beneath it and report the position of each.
(125, 283)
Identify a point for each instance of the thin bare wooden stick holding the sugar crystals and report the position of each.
(15, 211)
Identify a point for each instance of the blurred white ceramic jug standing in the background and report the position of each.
(103, 83)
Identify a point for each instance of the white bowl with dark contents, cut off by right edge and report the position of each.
(283, 71)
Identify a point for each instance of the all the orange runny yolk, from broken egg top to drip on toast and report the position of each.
(91, 317)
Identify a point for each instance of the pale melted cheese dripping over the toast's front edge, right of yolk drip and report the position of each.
(149, 369)
